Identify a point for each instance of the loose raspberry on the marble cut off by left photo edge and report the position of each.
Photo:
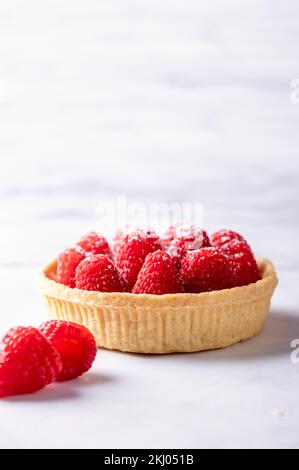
(28, 362)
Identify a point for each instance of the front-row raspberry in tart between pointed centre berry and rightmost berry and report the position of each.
(205, 270)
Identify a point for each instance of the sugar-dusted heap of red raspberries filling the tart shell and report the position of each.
(184, 259)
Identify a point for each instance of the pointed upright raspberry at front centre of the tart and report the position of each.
(158, 275)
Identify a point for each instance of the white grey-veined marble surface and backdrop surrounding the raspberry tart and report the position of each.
(161, 101)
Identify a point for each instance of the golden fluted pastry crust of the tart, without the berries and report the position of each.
(159, 324)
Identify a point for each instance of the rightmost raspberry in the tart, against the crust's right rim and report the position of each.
(242, 262)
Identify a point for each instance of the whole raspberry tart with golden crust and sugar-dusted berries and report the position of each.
(183, 292)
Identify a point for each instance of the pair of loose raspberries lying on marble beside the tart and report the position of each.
(32, 358)
